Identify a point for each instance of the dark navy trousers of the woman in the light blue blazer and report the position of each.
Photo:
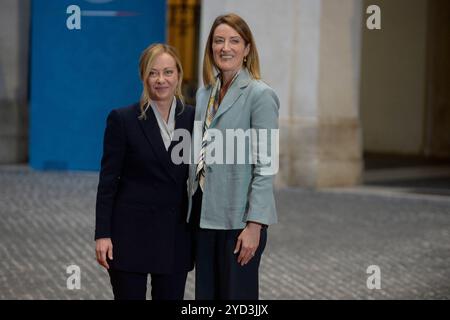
(218, 276)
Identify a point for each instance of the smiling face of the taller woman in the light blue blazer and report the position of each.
(228, 49)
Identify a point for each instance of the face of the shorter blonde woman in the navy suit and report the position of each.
(163, 78)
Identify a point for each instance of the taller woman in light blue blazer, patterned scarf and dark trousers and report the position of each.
(235, 159)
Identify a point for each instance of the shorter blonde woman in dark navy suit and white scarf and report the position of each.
(142, 197)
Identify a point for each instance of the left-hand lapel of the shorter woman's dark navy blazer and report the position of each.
(153, 135)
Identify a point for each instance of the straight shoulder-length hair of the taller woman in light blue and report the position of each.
(241, 27)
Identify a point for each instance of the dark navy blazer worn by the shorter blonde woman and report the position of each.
(142, 195)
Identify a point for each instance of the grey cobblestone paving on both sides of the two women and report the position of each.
(320, 249)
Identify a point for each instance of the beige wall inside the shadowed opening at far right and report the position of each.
(393, 86)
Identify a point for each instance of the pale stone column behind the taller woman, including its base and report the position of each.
(310, 55)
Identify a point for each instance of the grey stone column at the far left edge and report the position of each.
(14, 30)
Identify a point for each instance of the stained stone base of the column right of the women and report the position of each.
(319, 153)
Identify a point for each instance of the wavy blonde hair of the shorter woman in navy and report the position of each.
(146, 61)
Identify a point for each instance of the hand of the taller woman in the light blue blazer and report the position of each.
(248, 242)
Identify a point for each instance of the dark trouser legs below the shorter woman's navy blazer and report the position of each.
(133, 286)
